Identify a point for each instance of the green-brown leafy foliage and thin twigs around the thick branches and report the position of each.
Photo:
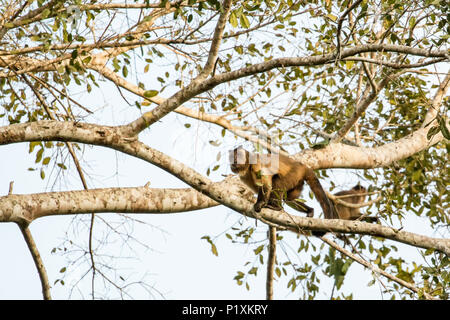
(49, 55)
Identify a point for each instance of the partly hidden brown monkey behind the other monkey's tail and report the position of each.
(348, 213)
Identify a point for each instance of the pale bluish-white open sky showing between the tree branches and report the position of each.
(175, 262)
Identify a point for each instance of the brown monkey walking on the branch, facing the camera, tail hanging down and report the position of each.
(276, 178)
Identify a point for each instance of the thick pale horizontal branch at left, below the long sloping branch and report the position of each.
(26, 208)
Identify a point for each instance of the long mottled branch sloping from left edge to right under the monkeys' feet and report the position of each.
(231, 196)
